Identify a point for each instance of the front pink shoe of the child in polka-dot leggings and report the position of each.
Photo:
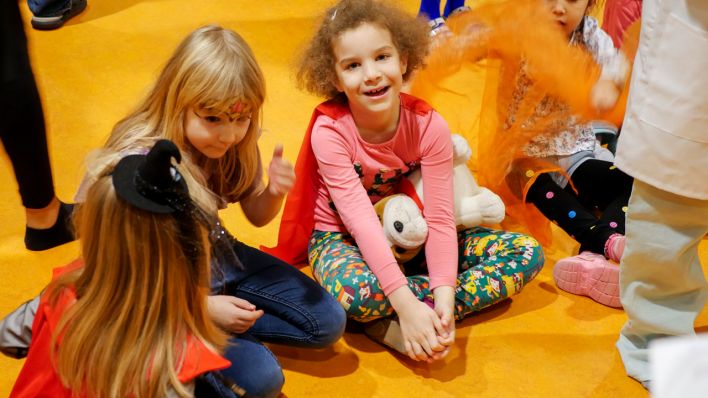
(589, 274)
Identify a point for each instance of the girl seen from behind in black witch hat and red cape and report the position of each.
(130, 318)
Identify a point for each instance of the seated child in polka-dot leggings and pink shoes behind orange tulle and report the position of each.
(572, 148)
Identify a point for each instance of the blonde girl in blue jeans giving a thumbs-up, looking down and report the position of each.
(208, 101)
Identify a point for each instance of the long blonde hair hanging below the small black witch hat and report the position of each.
(139, 298)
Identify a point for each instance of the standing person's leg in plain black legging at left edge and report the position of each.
(22, 128)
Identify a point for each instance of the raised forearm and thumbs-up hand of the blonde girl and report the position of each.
(264, 203)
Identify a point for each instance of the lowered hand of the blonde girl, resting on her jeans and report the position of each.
(232, 313)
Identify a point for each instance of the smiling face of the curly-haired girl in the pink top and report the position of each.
(369, 68)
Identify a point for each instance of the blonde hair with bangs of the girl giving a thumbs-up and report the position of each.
(211, 69)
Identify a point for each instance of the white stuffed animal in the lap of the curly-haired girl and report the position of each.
(404, 225)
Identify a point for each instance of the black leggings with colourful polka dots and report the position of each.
(601, 188)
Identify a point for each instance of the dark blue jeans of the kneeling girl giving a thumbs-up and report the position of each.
(297, 312)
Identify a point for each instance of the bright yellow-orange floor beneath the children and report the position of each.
(542, 343)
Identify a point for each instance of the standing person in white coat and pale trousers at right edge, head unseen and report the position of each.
(664, 146)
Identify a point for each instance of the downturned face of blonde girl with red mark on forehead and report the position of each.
(213, 133)
